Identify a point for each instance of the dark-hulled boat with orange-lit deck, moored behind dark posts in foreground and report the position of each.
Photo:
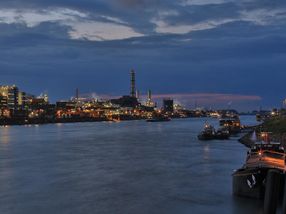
(264, 158)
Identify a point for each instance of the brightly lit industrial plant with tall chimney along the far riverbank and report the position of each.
(18, 107)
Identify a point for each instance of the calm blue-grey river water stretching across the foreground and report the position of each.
(129, 167)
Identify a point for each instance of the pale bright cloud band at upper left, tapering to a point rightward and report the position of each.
(81, 26)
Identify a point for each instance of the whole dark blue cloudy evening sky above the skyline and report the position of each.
(209, 52)
